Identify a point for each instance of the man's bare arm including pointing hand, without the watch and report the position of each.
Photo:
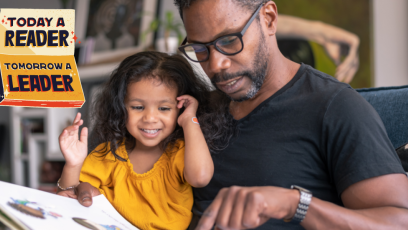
(375, 203)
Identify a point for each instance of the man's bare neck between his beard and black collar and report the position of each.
(279, 73)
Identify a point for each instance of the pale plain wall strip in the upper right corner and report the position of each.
(390, 29)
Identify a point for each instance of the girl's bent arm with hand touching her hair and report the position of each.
(198, 164)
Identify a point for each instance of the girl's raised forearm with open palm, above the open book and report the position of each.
(75, 151)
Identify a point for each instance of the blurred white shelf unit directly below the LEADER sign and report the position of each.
(35, 135)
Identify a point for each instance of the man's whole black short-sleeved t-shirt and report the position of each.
(315, 132)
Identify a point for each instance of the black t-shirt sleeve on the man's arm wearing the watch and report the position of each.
(356, 143)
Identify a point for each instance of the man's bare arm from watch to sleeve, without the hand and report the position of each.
(376, 203)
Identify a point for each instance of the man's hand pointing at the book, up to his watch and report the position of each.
(249, 207)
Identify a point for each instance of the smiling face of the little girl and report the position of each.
(152, 111)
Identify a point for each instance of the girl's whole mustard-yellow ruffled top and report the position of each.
(158, 199)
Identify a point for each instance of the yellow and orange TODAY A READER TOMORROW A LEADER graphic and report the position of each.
(37, 63)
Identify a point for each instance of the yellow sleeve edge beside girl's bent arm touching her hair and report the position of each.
(177, 164)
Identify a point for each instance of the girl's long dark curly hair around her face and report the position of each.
(110, 114)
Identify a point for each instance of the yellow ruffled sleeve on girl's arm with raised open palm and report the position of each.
(97, 168)
